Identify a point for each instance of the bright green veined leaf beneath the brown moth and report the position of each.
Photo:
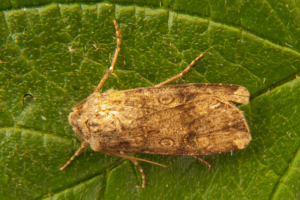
(52, 56)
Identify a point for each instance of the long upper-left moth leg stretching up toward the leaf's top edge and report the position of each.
(114, 60)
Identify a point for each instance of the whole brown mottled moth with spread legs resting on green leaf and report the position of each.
(187, 120)
